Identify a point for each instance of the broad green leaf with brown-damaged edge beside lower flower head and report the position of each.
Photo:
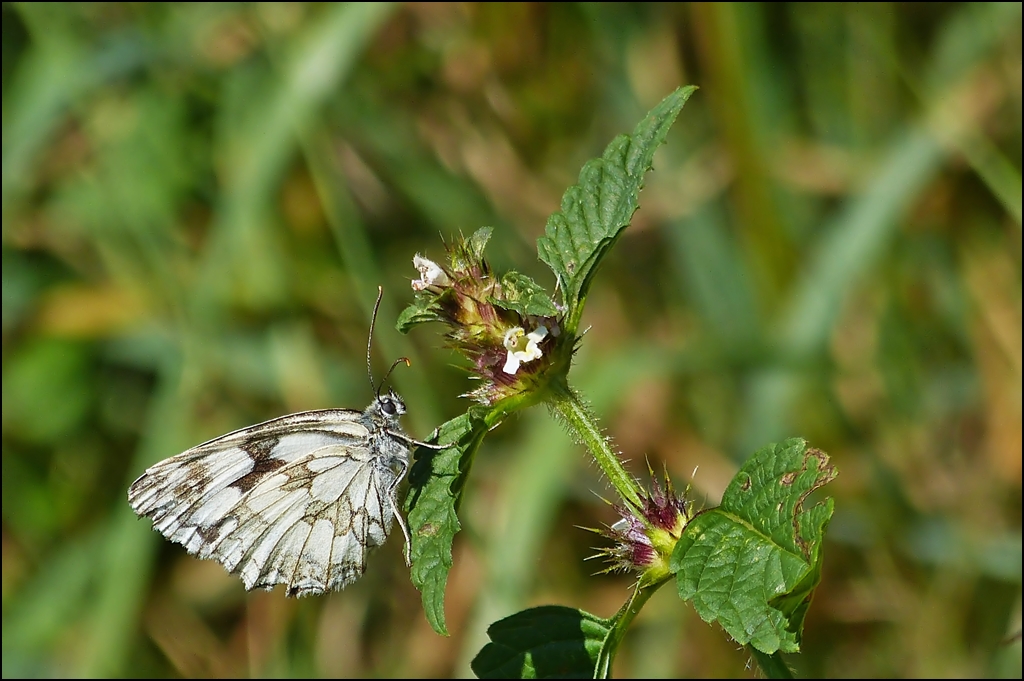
(753, 564)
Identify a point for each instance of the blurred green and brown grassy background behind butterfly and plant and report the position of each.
(200, 201)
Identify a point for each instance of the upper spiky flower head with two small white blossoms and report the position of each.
(507, 327)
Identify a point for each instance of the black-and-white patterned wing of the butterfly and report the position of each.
(297, 501)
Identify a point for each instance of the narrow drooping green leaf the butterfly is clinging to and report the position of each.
(436, 489)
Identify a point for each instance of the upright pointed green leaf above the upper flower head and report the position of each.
(595, 211)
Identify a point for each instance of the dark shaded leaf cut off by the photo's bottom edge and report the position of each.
(546, 643)
